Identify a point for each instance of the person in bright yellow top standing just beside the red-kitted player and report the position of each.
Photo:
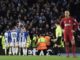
(58, 41)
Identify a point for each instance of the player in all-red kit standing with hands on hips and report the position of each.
(69, 26)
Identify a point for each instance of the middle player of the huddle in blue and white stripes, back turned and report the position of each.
(14, 44)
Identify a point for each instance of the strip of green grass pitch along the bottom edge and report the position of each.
(38, 58)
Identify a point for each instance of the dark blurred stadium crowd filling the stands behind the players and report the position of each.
(38, 16)
